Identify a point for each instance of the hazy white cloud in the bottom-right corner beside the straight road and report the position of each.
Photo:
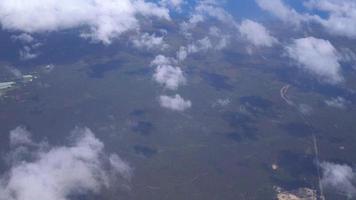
(338, 177)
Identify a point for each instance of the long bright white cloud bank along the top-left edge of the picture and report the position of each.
(104, 19)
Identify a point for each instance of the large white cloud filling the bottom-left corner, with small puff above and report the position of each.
(56, 173)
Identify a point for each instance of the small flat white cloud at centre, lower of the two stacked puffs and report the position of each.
(175, 103)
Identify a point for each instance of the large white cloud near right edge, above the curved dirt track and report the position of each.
(318, 57)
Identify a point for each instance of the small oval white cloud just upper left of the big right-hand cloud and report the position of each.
(256, 33)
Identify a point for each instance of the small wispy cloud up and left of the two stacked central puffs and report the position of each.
(150, 42)
